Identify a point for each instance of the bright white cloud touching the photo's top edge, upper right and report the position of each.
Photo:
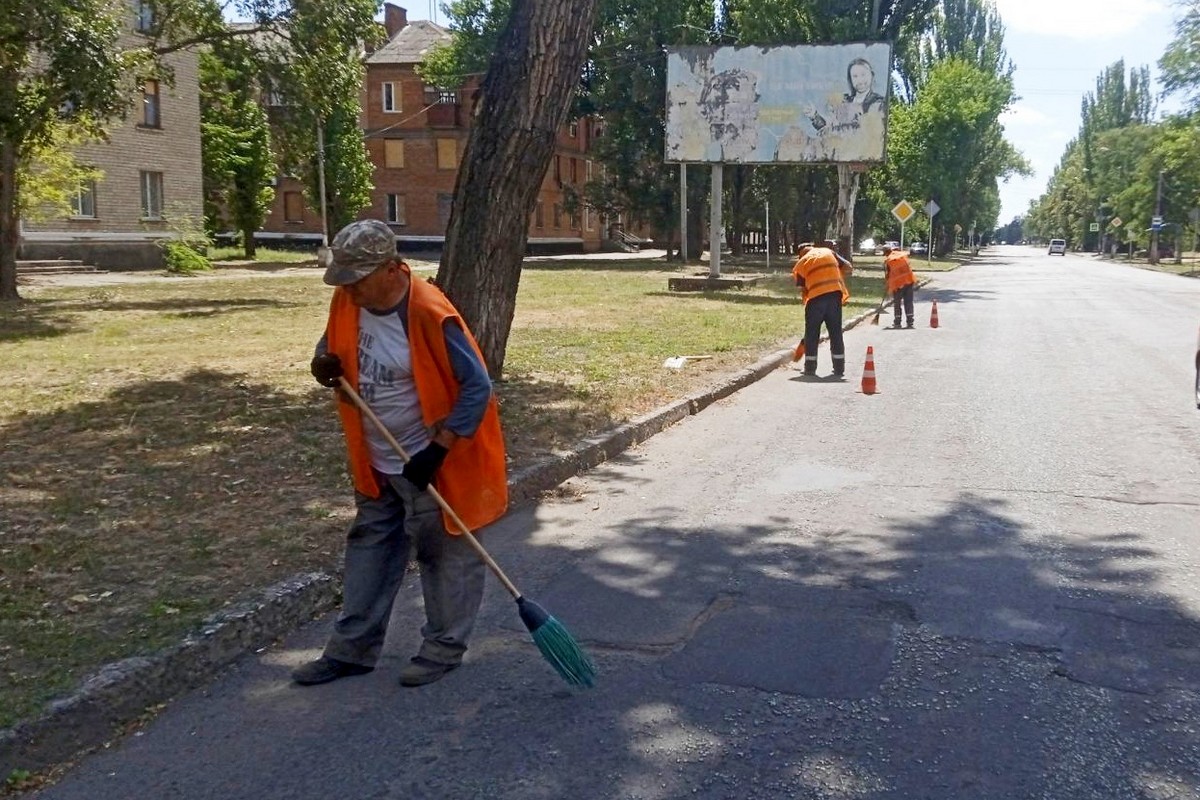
(1085, 20)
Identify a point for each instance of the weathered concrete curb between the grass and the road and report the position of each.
(123, 691)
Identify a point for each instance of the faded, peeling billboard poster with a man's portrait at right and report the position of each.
(806, 104)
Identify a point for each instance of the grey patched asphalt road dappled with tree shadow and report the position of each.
(980, 584)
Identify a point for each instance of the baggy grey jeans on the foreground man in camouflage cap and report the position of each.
(385, 534)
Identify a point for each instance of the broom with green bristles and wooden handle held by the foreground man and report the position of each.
(555, 642)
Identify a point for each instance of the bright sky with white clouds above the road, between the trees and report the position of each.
(1060, 49)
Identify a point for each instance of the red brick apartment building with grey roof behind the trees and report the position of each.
(416, 136)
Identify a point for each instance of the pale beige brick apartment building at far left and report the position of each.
(151, 171)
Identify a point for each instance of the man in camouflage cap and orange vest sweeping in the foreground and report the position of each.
(406, 351)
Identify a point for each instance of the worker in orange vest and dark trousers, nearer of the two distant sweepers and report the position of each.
(821, 275)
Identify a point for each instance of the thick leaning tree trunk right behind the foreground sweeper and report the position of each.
(525, 100)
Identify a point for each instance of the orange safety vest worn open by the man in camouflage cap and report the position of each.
(473, 478)
